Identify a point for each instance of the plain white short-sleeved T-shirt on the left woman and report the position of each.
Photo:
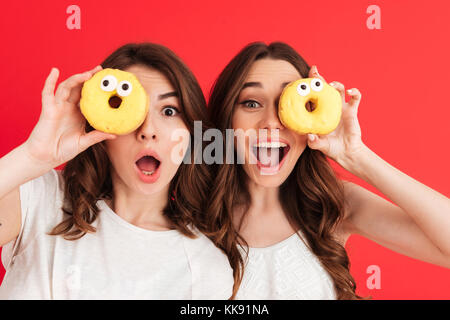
(119, 261)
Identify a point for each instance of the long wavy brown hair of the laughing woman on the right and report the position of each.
(312, 196)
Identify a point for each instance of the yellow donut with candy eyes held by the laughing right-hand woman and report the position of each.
(327, 101)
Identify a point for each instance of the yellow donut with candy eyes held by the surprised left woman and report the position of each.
(114, 101)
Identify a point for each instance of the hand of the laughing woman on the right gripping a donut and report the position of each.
(344, 143)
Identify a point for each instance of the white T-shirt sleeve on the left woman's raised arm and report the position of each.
(40, 201)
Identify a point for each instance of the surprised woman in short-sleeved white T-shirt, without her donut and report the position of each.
(101, 229)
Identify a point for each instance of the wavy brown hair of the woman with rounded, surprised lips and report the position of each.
(87, 177)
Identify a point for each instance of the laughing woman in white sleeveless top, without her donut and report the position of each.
(285, 218)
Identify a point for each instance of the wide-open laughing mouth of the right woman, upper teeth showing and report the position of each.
(270, 154)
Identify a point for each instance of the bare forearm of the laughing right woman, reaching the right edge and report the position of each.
(428, 208)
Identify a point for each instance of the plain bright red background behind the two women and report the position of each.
(401, 71)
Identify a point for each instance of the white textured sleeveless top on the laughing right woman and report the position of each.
(287, 270)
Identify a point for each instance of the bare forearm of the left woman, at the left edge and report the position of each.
(17, 167)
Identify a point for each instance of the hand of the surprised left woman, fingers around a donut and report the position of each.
(60, 133)
